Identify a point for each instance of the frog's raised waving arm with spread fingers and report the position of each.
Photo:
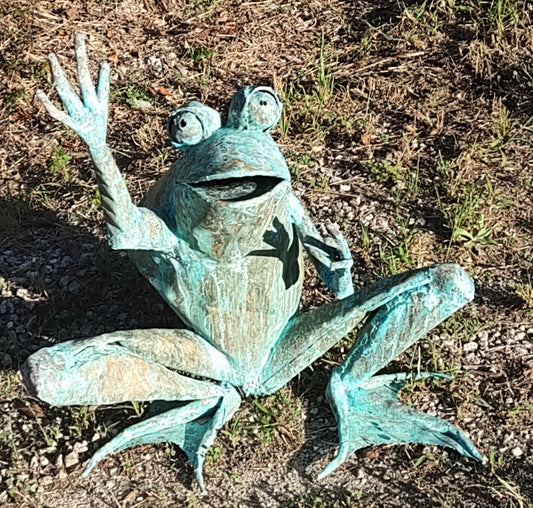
(129, 226)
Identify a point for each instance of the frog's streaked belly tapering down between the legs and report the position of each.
(240, 308)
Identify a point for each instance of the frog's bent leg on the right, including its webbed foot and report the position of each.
(401, 310)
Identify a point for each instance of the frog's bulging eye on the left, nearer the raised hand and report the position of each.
(191, 123)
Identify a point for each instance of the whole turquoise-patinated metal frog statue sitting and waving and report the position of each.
(221, 237)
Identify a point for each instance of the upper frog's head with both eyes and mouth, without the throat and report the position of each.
(234, 163)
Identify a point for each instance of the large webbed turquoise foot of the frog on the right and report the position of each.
(370, 414)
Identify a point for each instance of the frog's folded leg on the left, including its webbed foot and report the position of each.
(142, 365)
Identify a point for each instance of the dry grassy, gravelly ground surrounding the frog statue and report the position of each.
(409, 123)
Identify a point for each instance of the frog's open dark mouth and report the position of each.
(237, 189)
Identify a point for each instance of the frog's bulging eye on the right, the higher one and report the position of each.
(254, 108)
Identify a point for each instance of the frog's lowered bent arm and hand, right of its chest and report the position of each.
(330, 255)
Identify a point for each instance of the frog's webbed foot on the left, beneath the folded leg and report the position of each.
(192, 426)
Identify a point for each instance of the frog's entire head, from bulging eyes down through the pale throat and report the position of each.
(230, 179)
